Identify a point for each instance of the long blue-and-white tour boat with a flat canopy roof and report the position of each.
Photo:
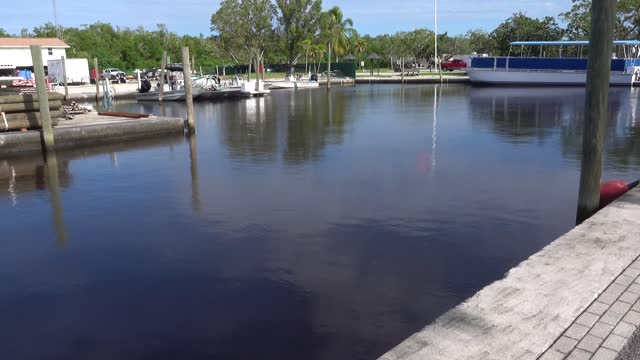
(553, 71)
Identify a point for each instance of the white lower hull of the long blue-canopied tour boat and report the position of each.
(540, 77)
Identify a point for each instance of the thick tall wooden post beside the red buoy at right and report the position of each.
(596, 109)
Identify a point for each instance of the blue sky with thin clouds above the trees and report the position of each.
(369, 16)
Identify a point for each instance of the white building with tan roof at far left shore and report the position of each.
(15, 52)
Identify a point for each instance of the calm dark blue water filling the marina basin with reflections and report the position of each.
(298, 226)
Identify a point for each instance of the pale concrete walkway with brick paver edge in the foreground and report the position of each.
(578, 298)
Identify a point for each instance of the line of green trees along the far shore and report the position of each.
(299, 31)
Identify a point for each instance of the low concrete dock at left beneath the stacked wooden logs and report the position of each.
(89, 130)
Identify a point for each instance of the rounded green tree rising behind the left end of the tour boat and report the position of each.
(520, 27)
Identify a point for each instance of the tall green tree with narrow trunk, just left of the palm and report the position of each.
(299, 20)
